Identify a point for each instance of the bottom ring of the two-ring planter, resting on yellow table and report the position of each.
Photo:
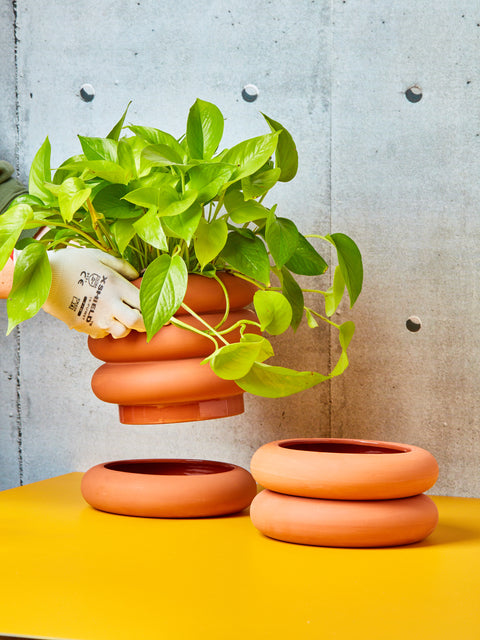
(344, 523)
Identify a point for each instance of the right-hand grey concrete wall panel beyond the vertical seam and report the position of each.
(404, 184)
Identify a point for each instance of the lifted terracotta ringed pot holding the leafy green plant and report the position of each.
(163, 381)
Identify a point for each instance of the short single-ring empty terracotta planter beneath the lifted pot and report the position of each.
(168, 488)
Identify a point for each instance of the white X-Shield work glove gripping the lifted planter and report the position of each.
(91, 293)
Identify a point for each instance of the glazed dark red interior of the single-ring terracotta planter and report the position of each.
(170, 467)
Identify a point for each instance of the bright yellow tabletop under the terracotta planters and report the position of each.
(68, 571)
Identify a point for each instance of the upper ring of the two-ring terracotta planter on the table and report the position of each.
(342, 469)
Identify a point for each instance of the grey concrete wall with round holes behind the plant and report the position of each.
(398, 176)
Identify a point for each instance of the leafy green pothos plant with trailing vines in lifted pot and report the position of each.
(173, 206)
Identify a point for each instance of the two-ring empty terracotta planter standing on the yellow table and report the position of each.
(344, 493)
